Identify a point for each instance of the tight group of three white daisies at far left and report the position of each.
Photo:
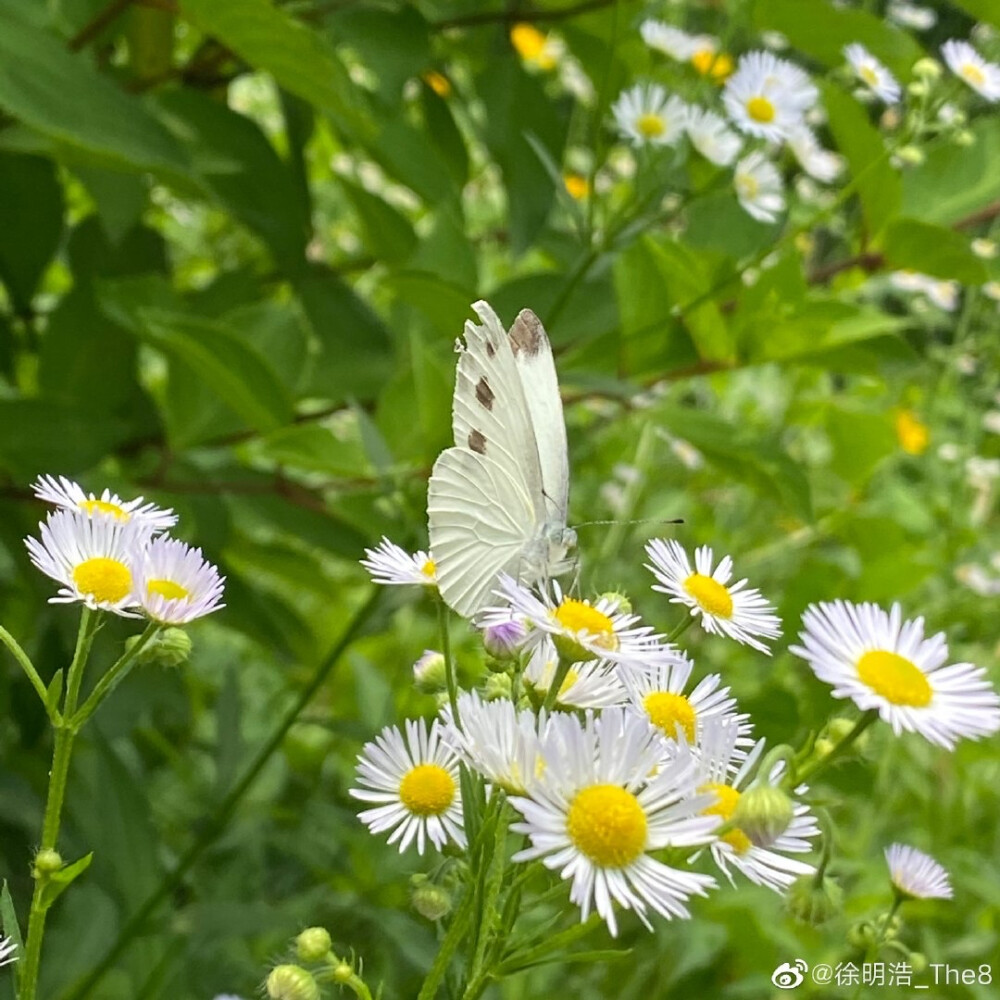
(114, 555)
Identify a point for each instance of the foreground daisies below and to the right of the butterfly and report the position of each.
(631, 768)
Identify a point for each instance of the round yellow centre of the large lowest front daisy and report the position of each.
(607, 824)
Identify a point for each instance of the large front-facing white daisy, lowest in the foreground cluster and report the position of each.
(597, 812)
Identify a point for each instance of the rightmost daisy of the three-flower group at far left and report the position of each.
(175, 584)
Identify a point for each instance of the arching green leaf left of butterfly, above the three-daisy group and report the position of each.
(216, 354)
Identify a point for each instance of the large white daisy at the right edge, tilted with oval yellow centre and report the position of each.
(881, 662)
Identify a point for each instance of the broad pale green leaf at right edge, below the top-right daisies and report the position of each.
(953, 181)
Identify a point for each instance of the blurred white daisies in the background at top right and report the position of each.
(767, 103)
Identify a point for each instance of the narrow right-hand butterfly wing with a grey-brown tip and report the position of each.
(537, 370)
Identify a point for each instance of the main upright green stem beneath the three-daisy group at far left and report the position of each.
(61, 755)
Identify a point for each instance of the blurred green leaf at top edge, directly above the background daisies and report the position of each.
(827, 29)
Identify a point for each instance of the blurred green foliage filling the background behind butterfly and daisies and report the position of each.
(237, 243)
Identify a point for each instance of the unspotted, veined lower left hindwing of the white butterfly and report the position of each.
(480, 520)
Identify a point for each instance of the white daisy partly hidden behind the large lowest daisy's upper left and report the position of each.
(497, 740)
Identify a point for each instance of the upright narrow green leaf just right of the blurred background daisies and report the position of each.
(879, 186)
